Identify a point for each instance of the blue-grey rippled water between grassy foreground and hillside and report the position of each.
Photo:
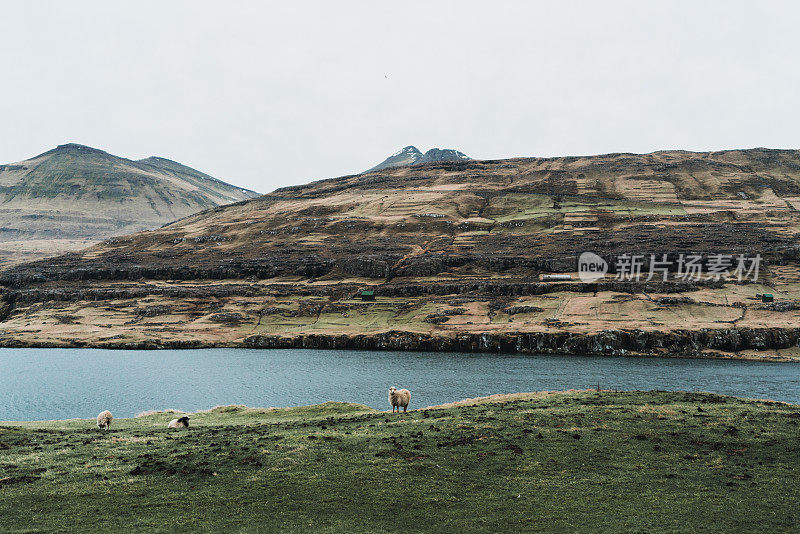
(67, 383)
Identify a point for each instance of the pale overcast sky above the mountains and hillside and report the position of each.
(264, 94)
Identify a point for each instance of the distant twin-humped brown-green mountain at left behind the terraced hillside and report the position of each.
(75, 195)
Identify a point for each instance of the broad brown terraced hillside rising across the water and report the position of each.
(454, 252)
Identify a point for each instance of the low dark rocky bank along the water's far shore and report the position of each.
(727, 344)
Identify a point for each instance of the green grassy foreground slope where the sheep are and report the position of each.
(574, 461)
